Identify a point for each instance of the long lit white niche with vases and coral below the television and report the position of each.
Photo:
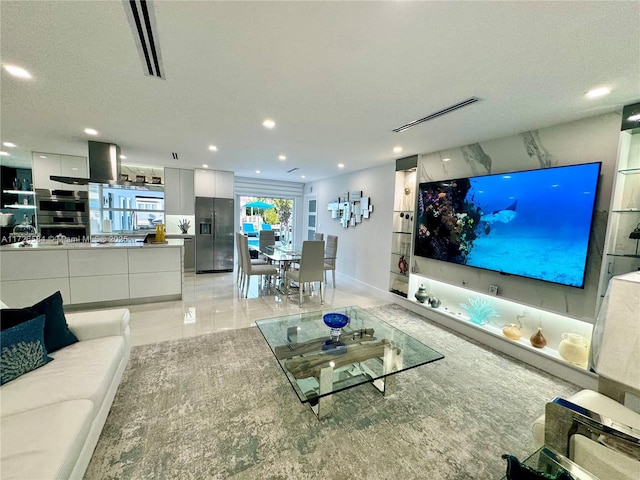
(555, 336)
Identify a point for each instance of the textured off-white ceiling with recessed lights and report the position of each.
(337, 77)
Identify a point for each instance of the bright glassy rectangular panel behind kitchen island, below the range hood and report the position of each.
(118, 209)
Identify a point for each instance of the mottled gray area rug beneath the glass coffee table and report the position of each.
(219, 406)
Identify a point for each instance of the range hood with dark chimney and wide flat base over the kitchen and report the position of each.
(104, 167)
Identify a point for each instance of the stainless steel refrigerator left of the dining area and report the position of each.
(214, 235)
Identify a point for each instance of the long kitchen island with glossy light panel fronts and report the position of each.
(91, 274)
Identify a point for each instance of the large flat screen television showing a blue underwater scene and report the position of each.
(533, 223)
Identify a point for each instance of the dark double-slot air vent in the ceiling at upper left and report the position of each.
(143, 26)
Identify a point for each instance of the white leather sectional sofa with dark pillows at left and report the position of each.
(51, 417)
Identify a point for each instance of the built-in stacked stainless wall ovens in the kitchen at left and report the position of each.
(64, 212)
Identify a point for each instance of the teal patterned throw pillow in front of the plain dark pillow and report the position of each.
(22, 349)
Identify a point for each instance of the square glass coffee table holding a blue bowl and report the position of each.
(320, 361)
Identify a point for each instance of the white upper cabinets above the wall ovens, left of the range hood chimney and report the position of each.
(47, 164)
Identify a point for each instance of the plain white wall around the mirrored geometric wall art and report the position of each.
(363, 250)
